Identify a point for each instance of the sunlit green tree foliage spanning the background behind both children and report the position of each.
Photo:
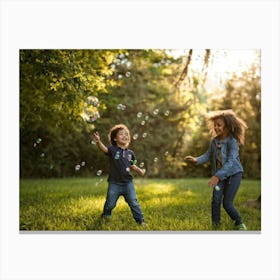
(134, 87)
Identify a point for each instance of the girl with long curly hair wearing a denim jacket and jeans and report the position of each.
(228, 132)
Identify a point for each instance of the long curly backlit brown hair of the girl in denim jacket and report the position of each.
(234, 125)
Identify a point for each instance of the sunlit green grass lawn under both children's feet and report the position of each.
(75, 204)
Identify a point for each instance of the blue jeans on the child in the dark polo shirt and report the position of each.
(127, 190)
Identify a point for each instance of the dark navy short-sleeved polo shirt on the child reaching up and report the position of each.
(120, 162)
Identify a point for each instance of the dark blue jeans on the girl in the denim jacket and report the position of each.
(227, 192)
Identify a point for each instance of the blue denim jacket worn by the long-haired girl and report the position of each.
(230, 157)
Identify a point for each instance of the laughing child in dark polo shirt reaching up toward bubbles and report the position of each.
(122, 161)
